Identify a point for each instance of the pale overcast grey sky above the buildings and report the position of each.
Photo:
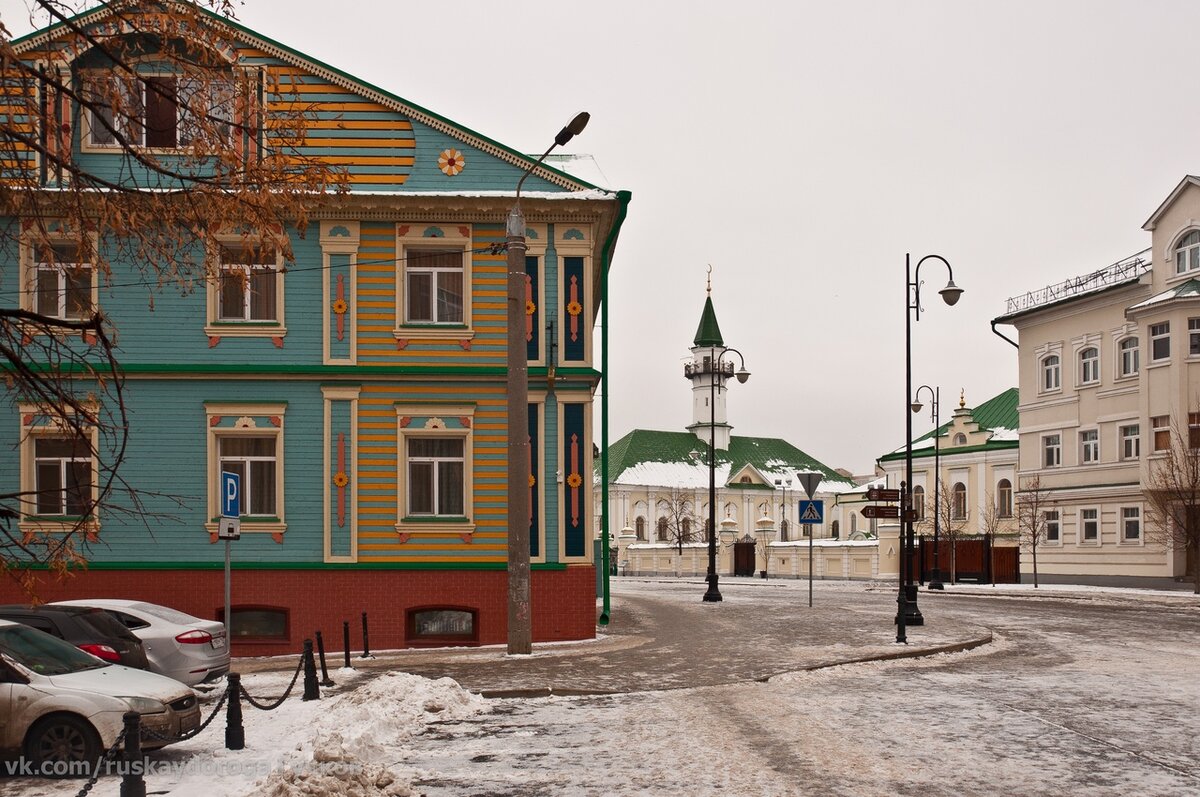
(803, 148)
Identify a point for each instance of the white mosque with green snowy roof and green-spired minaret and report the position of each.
(658, 498)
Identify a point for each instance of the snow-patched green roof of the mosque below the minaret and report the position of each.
(665, 459)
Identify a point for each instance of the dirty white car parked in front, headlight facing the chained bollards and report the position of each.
(61, 708)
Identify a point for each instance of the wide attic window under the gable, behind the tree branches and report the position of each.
(158, 111)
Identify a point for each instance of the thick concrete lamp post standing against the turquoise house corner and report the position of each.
(520, 616)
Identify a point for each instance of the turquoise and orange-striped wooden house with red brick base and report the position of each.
(358, 388)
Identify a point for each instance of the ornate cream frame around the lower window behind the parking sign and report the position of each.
(266, 420)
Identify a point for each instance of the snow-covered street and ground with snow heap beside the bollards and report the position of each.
(1083, 692)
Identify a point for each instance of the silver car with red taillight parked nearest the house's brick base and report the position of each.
(179, 646)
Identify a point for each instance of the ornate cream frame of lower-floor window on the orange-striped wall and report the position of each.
(435, 427)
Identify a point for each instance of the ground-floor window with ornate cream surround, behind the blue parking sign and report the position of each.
(248, 439)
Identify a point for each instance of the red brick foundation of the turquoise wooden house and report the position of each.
(563, 602)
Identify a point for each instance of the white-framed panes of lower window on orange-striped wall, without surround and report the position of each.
(436, 478)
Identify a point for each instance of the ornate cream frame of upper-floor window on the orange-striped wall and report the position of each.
(416, 237)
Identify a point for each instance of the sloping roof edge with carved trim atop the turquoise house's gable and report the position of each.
(338, 77)
